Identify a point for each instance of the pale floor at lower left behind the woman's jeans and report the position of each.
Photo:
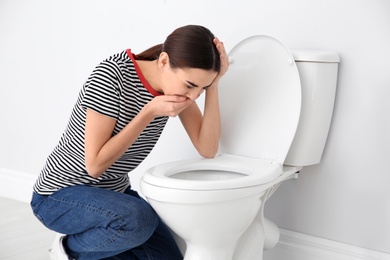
(22, 236)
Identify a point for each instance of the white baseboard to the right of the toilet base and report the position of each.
(297, 246)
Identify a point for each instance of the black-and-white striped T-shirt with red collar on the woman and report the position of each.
(117, 89)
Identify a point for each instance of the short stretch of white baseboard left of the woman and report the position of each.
(16, 185)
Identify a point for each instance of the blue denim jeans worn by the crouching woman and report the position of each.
(104, 224)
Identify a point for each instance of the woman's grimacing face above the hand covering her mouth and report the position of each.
(188, 82)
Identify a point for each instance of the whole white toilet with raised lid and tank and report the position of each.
(276, 109)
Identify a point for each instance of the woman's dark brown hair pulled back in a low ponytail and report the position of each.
(189, 46)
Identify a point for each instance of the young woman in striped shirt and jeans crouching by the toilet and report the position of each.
(84, 190)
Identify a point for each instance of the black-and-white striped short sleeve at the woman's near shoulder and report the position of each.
(101, 91)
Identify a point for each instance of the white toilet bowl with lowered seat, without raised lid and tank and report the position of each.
(218, 198)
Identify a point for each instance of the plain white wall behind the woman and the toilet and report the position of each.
(48, 48)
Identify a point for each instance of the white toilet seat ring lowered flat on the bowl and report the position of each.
(241, 172)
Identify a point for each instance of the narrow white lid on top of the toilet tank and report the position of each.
(316, 56)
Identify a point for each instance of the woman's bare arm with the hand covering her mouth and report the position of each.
(102, 149)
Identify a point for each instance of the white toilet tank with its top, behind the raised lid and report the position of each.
(318, 75)
